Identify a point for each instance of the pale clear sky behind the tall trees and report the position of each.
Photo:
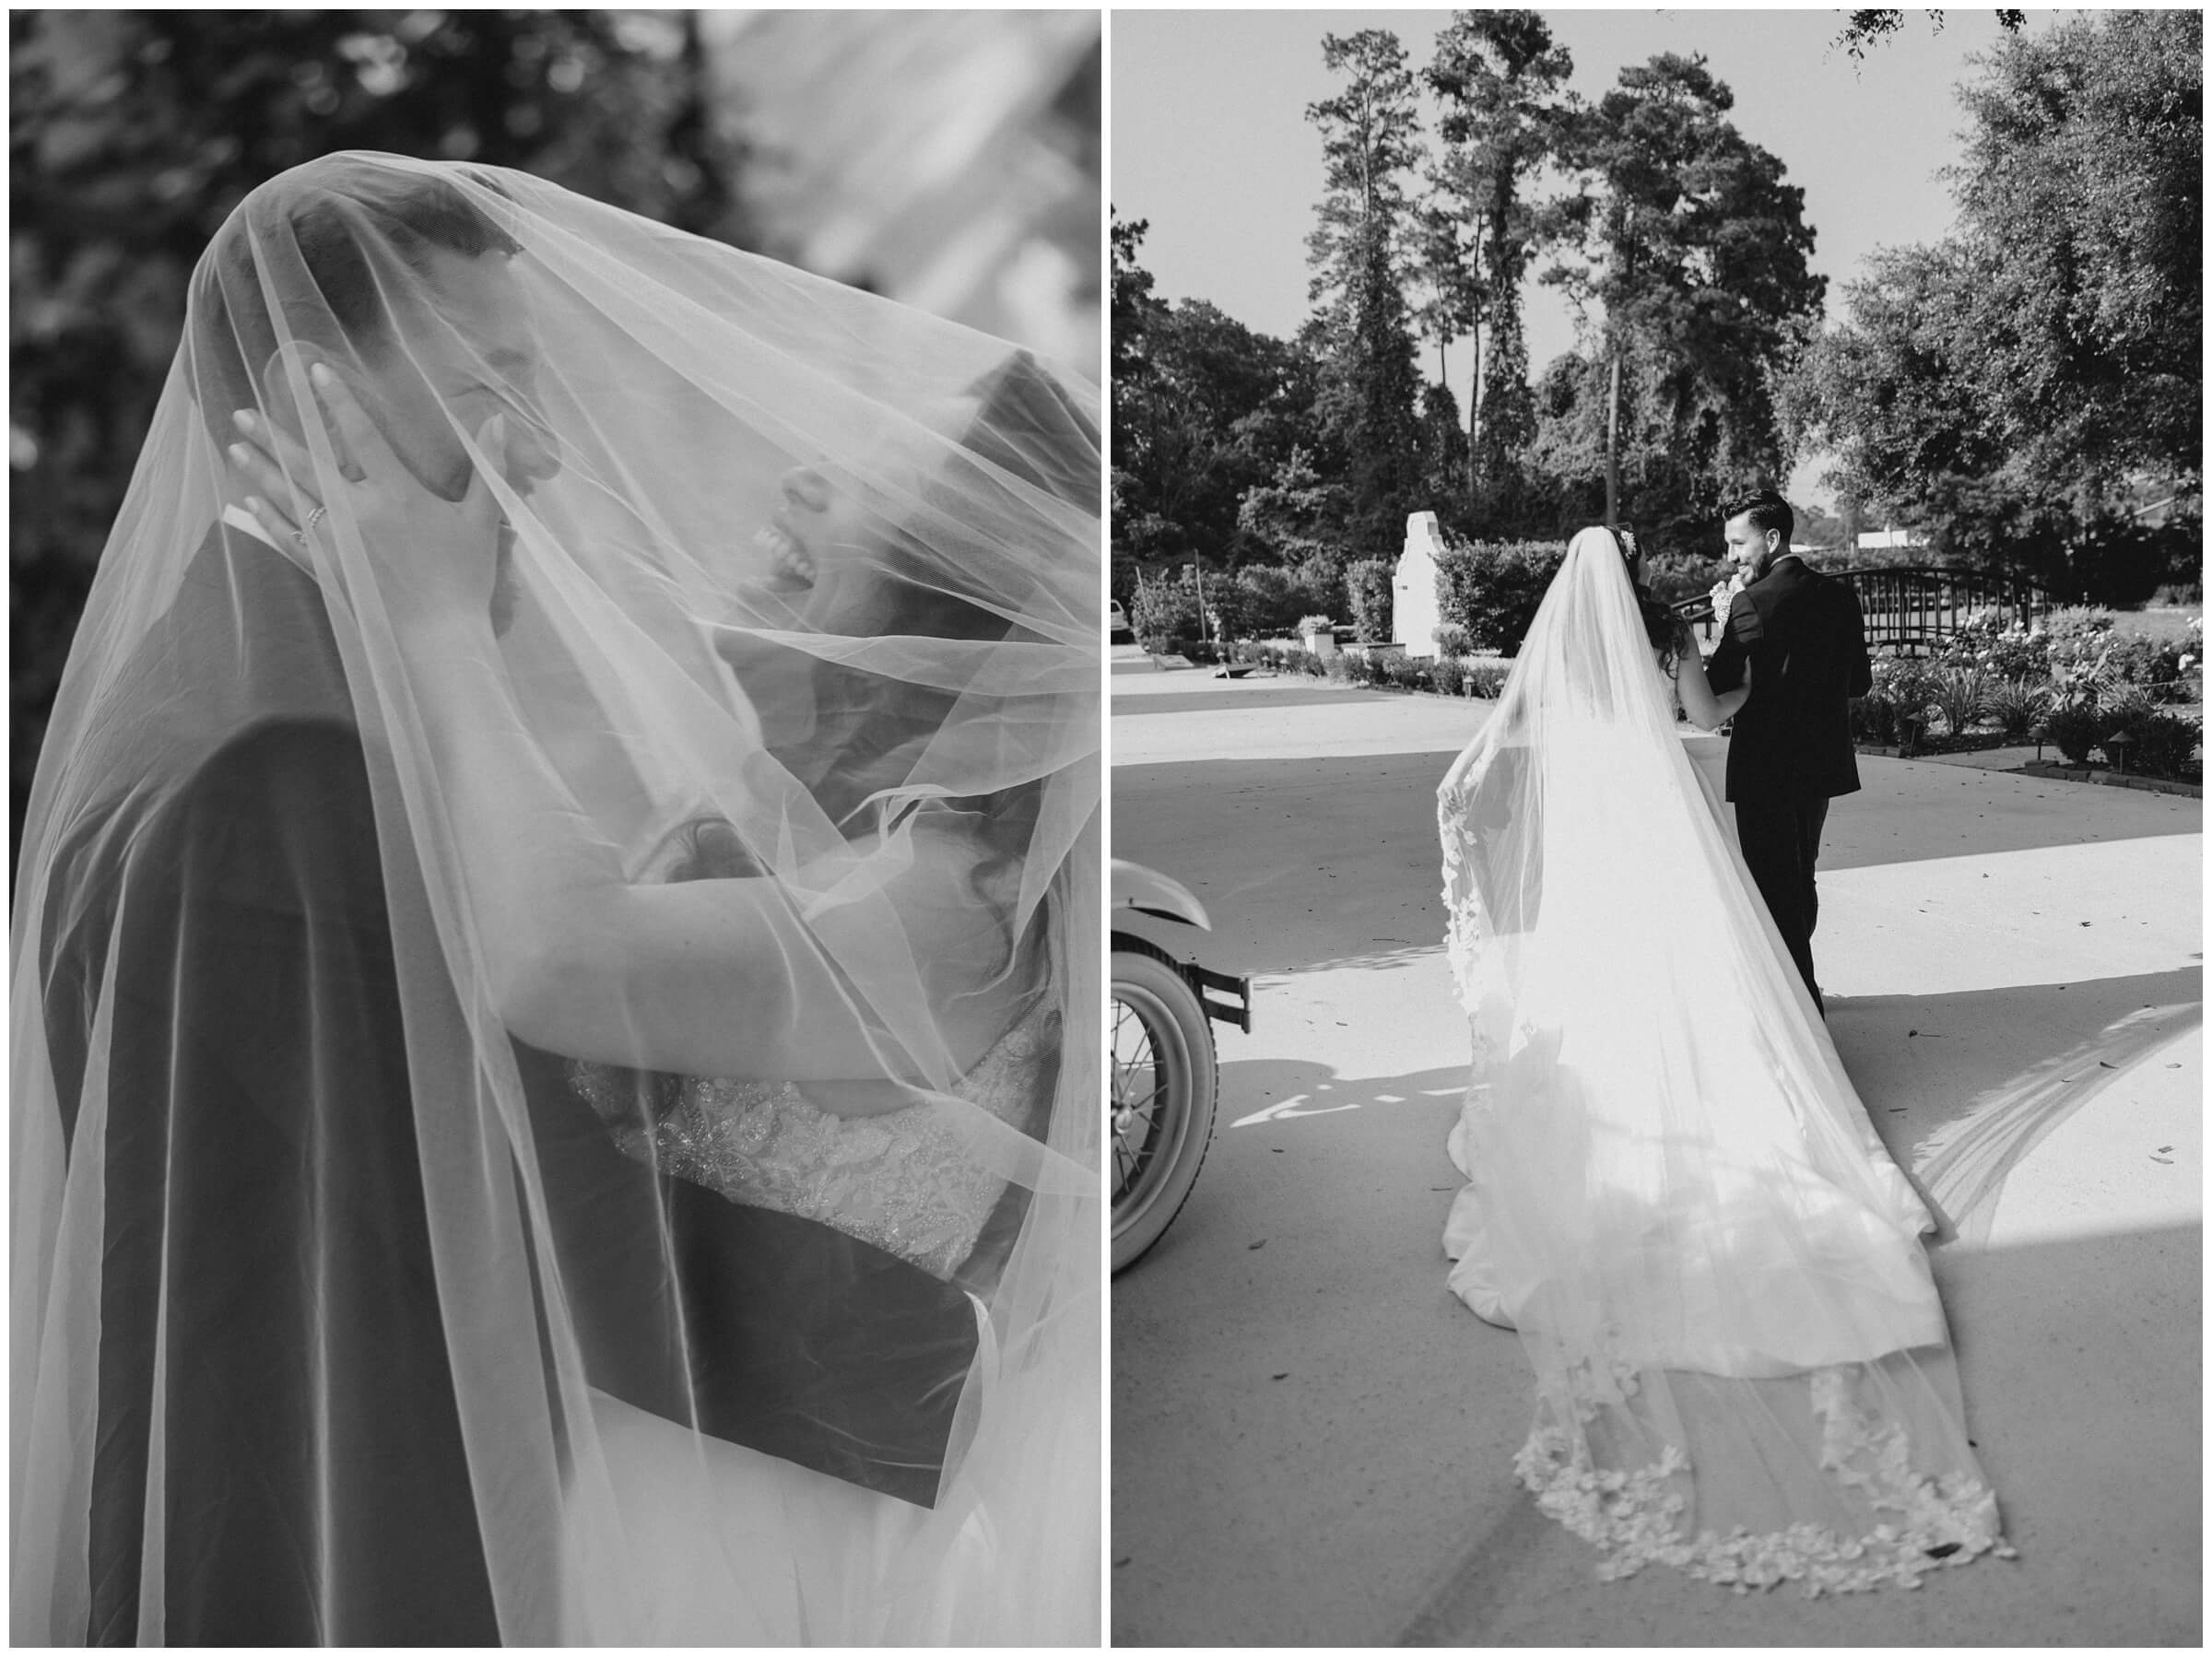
(1213, 149)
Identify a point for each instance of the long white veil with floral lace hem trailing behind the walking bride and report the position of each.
(1676, 1194)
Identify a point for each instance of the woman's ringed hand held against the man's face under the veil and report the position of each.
(444, 554)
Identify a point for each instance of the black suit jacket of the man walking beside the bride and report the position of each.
(1806, 645)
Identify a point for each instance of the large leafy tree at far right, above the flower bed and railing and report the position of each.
(2016, 382)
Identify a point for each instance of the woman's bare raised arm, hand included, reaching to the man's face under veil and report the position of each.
(707, 977)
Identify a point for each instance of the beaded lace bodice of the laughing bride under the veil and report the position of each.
(899, 1180)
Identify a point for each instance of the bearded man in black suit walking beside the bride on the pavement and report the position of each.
(1791, 751)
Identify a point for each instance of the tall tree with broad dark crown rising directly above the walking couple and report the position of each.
(1698, 253)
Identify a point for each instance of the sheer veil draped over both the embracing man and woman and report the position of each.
(450, 1317)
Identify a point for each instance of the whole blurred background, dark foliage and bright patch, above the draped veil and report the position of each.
(134, 134)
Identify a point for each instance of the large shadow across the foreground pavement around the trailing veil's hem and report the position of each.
(1288, 1366)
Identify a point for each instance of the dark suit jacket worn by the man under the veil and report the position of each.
(260, 1039)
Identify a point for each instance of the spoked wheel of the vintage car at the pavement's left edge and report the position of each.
(1162, 1085)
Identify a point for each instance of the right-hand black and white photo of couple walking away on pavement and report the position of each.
(1656, 897)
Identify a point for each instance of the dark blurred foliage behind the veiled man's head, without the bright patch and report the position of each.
(134, 136)
